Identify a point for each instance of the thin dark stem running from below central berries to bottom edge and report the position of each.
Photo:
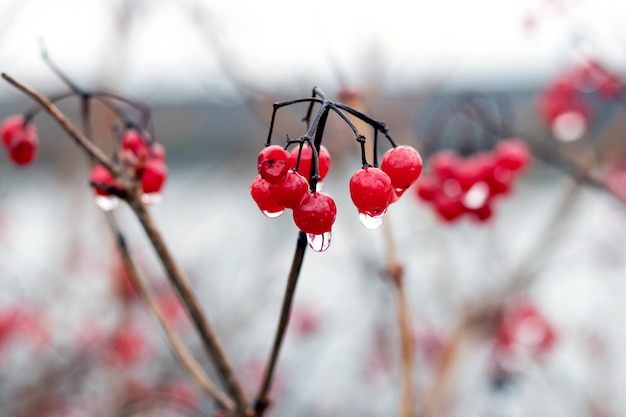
(262, 398)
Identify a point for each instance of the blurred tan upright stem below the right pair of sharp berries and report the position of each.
(395, 273)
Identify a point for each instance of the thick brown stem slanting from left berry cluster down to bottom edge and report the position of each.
(191, 302)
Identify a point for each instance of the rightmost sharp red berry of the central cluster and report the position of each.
(403, 164)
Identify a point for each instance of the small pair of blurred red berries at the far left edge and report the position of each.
(20, 140)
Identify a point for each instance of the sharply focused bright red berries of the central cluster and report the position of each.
(282, 183)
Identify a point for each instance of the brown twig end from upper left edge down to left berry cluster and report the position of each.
(74, 133)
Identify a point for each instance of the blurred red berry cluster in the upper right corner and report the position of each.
(564, 105)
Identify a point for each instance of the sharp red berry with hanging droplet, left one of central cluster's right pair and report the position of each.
(370, 190)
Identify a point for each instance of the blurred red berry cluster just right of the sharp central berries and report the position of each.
(459, 186)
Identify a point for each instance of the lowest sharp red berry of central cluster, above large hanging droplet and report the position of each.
(315, 214)
